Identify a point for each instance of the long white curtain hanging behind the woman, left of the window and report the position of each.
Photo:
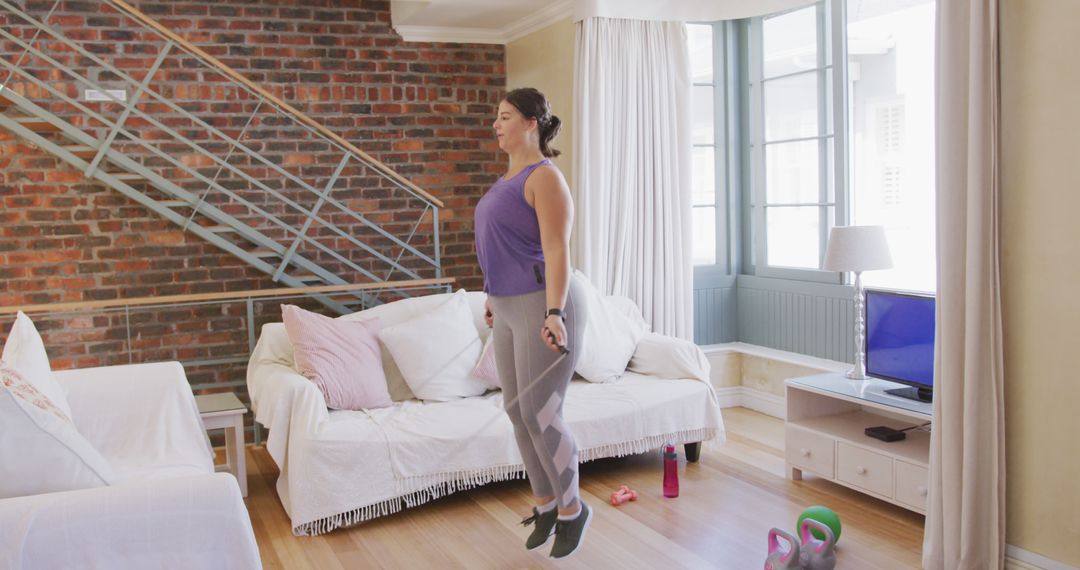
(632, 159)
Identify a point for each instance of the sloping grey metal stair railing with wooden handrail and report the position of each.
(269, 216)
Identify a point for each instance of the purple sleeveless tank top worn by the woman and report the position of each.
(508, 238)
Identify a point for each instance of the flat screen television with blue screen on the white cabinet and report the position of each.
(900, 342)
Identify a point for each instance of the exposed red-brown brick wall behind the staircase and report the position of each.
(424, 110)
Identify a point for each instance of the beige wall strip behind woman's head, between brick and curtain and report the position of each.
(545, 60)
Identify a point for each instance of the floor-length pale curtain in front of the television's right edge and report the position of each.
(966, 526)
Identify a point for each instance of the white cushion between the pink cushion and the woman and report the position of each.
(438, 351)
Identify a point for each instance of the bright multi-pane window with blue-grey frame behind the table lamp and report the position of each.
(829, 140)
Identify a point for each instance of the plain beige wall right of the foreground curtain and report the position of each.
(1042, 274)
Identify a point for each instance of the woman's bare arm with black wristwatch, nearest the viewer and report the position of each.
(551, 199)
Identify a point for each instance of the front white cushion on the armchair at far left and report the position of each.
(40, 450)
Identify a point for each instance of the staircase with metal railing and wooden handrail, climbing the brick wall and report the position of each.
(271, 186)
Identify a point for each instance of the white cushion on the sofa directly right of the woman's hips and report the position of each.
(611, 336)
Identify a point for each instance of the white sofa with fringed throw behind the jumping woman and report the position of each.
(340, 468)
